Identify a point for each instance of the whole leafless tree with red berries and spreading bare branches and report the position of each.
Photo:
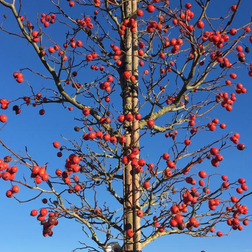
(154, 71)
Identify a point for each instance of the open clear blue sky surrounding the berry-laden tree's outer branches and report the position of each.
(19, 231)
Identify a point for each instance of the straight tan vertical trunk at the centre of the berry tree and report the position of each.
(130, 105)
